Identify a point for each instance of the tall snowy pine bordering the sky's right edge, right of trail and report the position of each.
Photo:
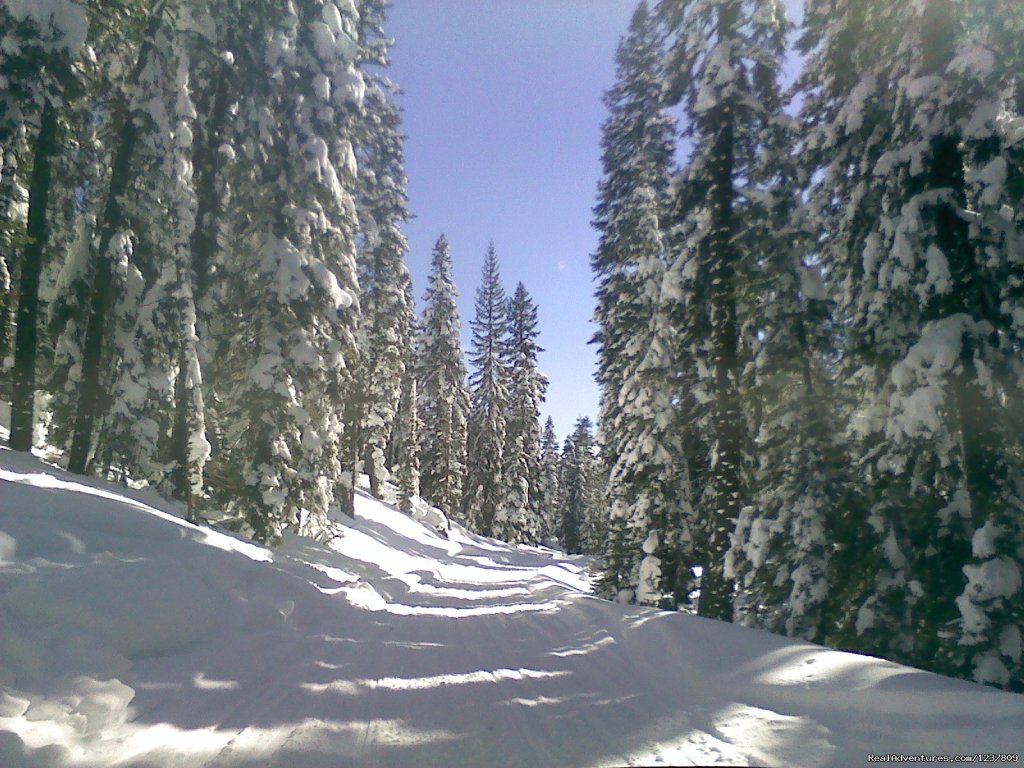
(648, 492)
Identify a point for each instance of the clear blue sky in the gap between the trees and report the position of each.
(503, 114)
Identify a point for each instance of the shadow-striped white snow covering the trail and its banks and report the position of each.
(132, 638)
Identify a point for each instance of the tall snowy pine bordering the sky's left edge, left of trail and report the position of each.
(388, 314)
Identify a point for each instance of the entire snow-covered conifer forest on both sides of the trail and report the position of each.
(809, 294)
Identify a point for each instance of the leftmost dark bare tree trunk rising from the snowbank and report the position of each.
(24, 394)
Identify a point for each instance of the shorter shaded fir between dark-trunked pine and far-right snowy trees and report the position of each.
(784, 543)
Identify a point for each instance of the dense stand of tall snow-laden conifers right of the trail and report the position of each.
(812, 350)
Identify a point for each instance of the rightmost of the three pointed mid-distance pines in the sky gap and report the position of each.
(527, 389)
